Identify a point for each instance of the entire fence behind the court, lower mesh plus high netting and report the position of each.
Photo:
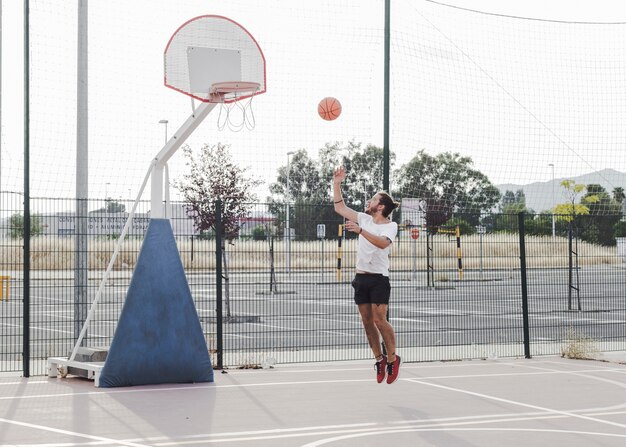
(489, 116)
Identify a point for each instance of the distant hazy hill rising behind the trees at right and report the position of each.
(539, 194)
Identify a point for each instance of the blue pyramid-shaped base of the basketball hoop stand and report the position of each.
(158, 337)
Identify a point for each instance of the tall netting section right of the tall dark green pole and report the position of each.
(524, 102)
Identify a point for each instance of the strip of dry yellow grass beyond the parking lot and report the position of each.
(500, 251)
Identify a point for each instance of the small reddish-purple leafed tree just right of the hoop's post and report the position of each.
(212, 176)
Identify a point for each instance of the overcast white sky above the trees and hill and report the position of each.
(305, 62)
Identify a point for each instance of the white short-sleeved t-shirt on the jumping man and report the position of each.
(370, 258)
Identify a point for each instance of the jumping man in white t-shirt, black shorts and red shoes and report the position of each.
(371, 282)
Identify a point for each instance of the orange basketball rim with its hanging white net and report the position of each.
(235, 111)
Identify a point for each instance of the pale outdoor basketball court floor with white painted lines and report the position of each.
(508, 402)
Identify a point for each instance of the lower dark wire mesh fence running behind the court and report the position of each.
(482, 286)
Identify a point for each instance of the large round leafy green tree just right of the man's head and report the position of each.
(448, 183)
